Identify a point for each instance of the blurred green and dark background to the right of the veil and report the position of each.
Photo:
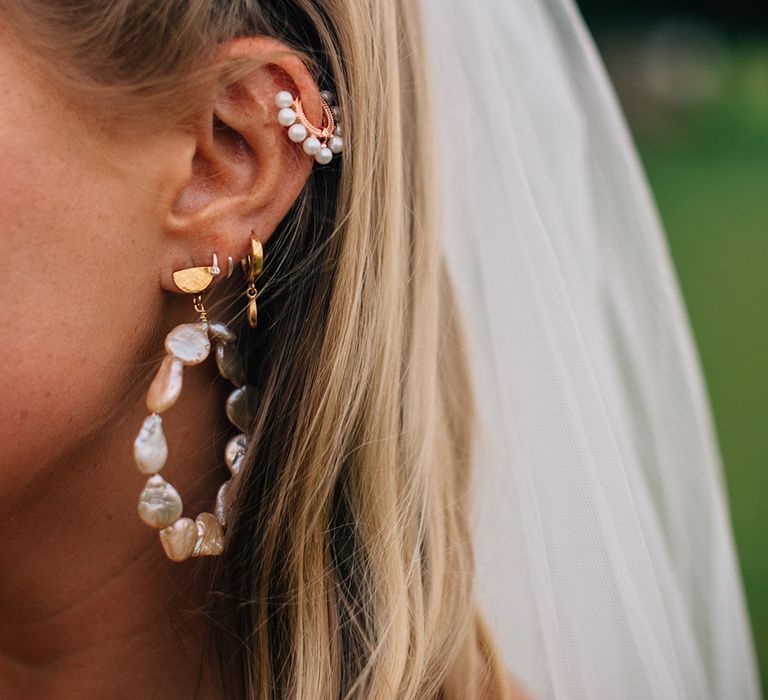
(693, 80)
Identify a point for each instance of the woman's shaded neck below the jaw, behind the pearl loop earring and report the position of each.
(90, 605)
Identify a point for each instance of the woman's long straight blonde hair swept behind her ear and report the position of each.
(348, 569)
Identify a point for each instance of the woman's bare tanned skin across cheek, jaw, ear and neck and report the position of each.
(94, 222)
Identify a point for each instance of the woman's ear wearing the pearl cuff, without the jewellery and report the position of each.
(242, 173)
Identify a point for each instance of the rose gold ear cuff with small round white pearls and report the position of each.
(322, 143)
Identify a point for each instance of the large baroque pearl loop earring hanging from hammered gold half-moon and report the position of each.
(160, 504)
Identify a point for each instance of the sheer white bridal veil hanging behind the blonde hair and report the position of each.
(605, 560)
